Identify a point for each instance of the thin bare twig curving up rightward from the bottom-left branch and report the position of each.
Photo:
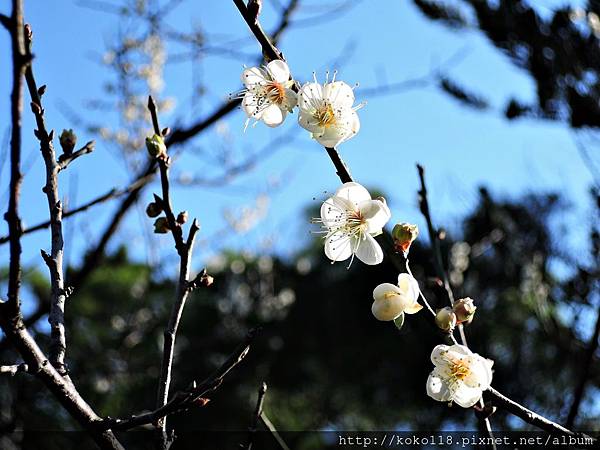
(190, 397)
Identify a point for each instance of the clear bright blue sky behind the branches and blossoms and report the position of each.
(461, 149)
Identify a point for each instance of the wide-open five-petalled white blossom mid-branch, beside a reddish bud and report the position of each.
(351, 219)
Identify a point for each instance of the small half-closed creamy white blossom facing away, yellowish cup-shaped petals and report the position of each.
(389, 300)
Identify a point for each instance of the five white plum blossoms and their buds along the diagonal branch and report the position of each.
(351, 219)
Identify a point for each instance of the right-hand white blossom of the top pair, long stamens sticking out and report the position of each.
(327, 112)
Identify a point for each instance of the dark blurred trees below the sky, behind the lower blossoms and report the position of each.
(328, 362)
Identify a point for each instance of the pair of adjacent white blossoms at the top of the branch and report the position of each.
(326, 110)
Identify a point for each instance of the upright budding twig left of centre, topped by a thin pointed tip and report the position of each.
(184, 286)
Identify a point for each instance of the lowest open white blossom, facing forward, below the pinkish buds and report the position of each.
(459, 375)
